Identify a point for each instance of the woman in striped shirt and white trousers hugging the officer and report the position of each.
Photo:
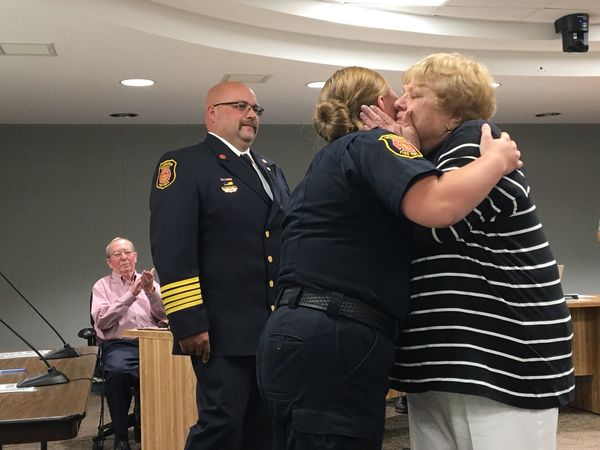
(485, 354)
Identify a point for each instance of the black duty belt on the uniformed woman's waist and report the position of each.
(335, 303)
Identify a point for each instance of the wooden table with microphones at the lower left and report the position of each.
(50, 413)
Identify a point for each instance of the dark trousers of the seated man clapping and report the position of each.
(121, 360)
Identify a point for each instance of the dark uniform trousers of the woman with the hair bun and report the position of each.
(324, 380)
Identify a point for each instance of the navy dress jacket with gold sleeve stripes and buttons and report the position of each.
(215, 236)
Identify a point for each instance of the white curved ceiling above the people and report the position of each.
(189, 45)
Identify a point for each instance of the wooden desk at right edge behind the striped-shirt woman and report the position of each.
(585, 314)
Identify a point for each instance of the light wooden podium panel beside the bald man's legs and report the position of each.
(168, 391)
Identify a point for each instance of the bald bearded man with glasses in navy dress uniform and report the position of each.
(215, 227)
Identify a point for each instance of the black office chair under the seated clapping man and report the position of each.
(106, 429)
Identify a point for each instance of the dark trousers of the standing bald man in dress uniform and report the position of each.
(231, 413)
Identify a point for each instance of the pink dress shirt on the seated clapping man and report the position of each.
(115, 308)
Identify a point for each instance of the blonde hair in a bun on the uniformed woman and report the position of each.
(338, 108)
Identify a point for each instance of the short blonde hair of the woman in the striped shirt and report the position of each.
(462, 85)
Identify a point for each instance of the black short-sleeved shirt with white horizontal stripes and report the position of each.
(487, 312)
